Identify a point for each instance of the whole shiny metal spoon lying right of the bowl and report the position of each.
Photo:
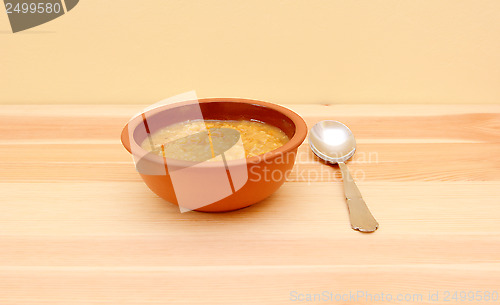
(334, 142)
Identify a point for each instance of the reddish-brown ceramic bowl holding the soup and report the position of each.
(265, 173)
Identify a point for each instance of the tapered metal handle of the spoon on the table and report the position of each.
(359, 214)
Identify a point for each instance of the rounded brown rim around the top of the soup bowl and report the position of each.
(292, 144)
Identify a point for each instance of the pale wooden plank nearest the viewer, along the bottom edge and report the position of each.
(247, 285)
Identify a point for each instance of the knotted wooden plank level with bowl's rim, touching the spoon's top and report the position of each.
(475, 126)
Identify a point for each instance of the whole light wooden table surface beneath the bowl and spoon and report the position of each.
(78, 226)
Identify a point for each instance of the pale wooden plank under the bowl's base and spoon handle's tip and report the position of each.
(116, 208)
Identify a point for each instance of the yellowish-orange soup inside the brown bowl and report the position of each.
(205, 140)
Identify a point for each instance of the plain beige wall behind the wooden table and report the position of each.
(283, 51)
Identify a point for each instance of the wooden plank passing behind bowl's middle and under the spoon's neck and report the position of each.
(372, 162)
